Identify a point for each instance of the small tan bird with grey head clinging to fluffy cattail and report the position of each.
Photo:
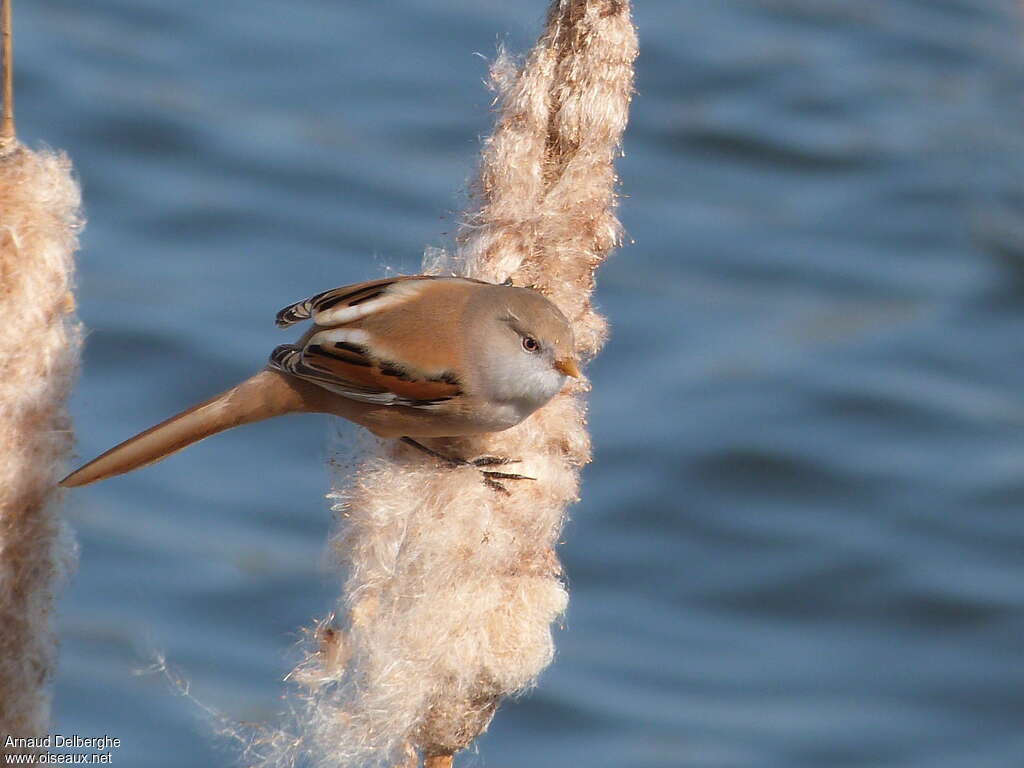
(414, 357)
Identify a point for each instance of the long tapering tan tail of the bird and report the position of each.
(265, 396)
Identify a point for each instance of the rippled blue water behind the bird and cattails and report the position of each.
(802, 542)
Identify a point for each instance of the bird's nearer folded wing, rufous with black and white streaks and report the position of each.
(348, 368)
